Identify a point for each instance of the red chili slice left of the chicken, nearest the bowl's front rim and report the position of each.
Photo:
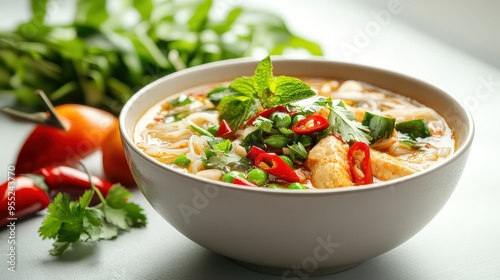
(273, 164)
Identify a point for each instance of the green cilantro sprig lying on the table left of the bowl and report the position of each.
(69, 221)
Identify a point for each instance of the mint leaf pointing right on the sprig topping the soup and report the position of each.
(286, 90)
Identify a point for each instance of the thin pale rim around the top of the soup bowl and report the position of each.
(467, 141)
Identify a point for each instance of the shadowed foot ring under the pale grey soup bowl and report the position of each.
(291, 273)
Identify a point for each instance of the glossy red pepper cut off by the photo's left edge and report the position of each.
(21, 197)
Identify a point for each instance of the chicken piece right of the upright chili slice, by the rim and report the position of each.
(386, 167)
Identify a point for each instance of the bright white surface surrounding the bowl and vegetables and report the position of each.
(461, 242)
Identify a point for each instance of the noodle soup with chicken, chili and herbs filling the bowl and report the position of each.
(294, 133)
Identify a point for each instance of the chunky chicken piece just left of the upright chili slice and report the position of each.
(328, 164)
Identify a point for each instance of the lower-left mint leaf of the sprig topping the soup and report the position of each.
(237, 109)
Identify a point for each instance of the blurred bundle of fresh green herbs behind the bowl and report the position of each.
(103, 57)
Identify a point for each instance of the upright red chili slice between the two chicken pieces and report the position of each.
(360, 165)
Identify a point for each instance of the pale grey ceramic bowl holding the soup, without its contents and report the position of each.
(287, 232)
